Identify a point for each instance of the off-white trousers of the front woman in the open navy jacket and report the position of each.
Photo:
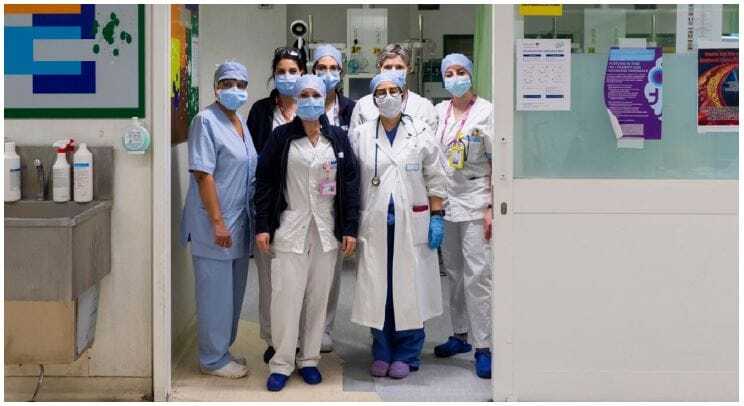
(300, 284)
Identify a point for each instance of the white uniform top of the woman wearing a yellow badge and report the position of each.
(469, 188)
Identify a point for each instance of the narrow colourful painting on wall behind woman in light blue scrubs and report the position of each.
(184, 69)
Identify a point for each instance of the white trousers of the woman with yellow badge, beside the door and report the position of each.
(467, 258)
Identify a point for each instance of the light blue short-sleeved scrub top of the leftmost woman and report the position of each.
(217, 149)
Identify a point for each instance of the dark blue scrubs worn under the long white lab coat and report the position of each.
(387, 344)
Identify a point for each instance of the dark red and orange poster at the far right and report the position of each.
(718, 89)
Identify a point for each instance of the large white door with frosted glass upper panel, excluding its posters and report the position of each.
(615, 271)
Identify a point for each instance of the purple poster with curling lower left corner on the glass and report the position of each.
(633, 92)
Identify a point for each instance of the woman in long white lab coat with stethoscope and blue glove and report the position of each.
(403, 187)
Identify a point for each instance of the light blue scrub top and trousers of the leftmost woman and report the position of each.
(220, 273)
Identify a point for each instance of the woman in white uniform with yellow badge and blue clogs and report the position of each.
(465, 133)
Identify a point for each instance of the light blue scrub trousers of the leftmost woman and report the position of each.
(220, 287)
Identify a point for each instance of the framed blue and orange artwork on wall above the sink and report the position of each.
(74, 61)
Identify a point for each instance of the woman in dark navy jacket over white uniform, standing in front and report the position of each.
(307, 208)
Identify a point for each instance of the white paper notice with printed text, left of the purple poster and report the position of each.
(543, 74)
